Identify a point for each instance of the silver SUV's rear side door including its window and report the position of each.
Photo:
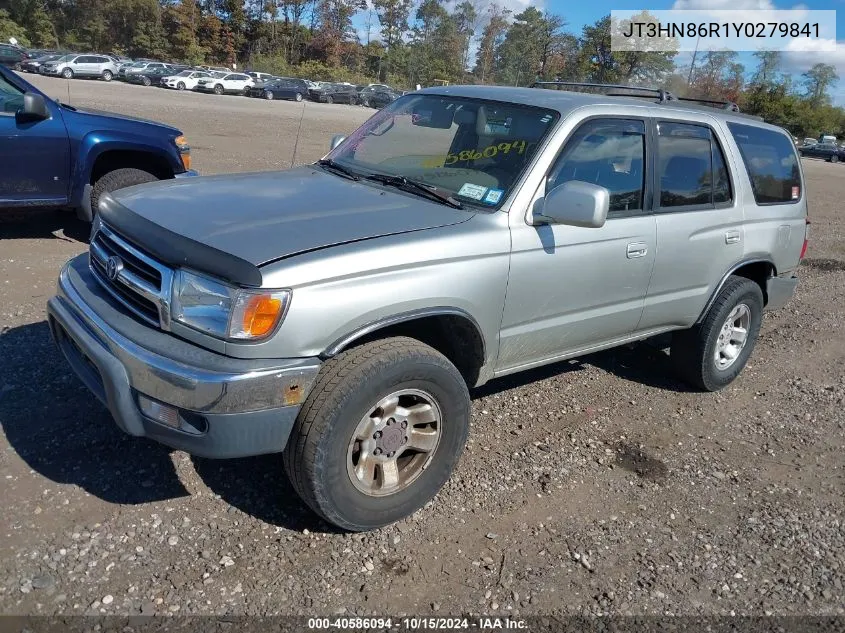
(700, 232)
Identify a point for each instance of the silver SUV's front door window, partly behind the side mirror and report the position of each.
(609, 153)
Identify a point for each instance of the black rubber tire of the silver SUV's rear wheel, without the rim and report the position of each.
(693, 351)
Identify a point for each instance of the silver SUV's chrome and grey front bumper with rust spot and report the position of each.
(235, 407)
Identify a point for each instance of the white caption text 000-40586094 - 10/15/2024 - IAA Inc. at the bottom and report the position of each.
(481, 624)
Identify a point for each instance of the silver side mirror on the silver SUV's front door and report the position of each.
(575, 203)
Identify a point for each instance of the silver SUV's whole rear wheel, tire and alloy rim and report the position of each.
(711, 355)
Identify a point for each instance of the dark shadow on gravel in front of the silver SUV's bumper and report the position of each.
(63, 433)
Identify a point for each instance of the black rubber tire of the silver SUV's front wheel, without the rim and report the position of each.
(348, 386)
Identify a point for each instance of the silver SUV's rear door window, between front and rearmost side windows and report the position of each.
(691, 167)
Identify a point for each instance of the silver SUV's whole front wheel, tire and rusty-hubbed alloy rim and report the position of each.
(379, 434)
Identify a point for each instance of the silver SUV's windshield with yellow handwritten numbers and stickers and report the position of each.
(471, 149)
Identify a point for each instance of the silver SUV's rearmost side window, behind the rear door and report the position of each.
(771, 163)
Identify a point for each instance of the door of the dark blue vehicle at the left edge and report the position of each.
(35, 156)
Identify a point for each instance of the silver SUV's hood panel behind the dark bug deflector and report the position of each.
(264, 217)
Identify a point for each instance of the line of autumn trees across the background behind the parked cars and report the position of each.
(410, 42)
